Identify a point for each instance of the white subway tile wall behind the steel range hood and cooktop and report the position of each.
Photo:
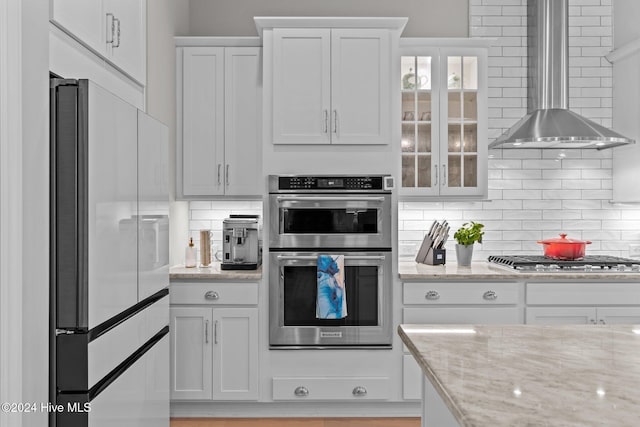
(536, 194)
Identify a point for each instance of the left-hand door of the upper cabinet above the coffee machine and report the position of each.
(202, 121)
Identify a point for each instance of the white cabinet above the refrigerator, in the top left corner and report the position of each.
(113, 29)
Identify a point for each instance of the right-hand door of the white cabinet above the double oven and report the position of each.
(360, 86)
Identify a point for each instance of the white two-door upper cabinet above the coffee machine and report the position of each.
(219, 121)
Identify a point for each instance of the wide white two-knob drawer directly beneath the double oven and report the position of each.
(324, 388)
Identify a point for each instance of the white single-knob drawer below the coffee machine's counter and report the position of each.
(214, 293)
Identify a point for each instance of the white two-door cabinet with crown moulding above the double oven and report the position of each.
(329, 82)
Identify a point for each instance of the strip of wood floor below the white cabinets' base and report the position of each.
(295, 422)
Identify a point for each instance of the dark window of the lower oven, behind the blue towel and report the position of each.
(300, 293)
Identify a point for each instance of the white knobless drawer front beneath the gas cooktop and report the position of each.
(583, 294)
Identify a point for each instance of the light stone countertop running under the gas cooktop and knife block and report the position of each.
(483, 270)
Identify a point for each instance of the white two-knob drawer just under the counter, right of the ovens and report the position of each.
(460, 293)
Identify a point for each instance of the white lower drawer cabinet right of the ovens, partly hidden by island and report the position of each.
(455, 303)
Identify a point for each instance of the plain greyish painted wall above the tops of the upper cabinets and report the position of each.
(428, 18)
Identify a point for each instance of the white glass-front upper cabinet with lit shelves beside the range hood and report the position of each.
(444, 118)
